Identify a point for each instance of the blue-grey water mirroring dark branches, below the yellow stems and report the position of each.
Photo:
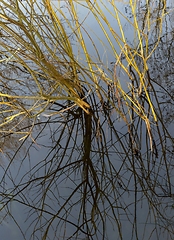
(92, 178)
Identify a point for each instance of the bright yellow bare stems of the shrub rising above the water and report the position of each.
(61, 69)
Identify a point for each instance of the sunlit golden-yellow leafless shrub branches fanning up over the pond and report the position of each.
(34, 39)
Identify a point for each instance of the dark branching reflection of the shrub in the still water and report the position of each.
(89, 181)
